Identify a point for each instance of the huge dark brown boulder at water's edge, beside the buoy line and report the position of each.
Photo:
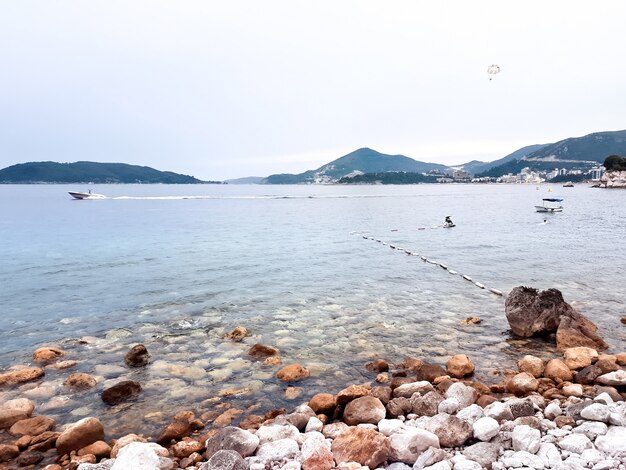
(532, 312)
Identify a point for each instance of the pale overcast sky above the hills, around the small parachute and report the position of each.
(228, 89)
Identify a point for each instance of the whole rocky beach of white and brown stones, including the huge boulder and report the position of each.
(564, 412)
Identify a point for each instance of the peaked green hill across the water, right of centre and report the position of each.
(364, 160)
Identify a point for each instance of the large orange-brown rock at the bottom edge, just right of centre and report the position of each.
(365, 446)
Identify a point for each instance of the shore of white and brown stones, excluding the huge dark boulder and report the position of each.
(565, 413)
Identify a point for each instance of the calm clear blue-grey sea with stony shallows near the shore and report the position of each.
(320, 272)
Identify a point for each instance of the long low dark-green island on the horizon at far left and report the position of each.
(91, 172)
